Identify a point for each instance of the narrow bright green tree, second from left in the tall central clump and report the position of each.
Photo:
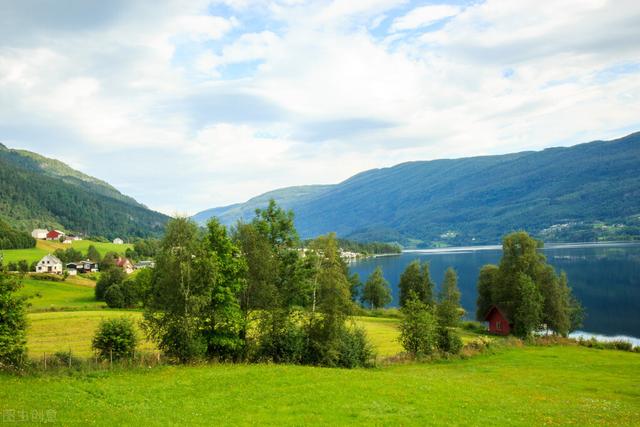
(225, 326)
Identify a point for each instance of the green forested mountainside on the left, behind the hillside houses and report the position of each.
(36, 191)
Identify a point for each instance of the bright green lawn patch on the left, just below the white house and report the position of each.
(69, 295)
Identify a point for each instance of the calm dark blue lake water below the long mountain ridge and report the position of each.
(605, 277)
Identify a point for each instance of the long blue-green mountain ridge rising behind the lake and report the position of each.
(582, 193)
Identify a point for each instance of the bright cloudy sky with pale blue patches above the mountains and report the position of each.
(188, 105)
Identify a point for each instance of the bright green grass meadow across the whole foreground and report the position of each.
(518, 386)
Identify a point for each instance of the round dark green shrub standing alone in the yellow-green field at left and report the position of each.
(115, 339)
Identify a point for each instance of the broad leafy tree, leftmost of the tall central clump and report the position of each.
(180, 294)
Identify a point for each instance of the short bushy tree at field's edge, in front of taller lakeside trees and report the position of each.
(418, 328)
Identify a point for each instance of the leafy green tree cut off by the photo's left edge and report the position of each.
(13, 321)
